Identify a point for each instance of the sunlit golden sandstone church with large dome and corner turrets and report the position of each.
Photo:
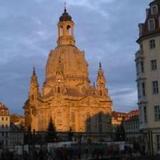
(67, 97)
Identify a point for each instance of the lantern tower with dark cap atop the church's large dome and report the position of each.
(65, 30)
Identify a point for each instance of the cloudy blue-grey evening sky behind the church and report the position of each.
(105, 29)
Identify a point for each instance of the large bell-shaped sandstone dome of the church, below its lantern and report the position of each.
(68, 60)
